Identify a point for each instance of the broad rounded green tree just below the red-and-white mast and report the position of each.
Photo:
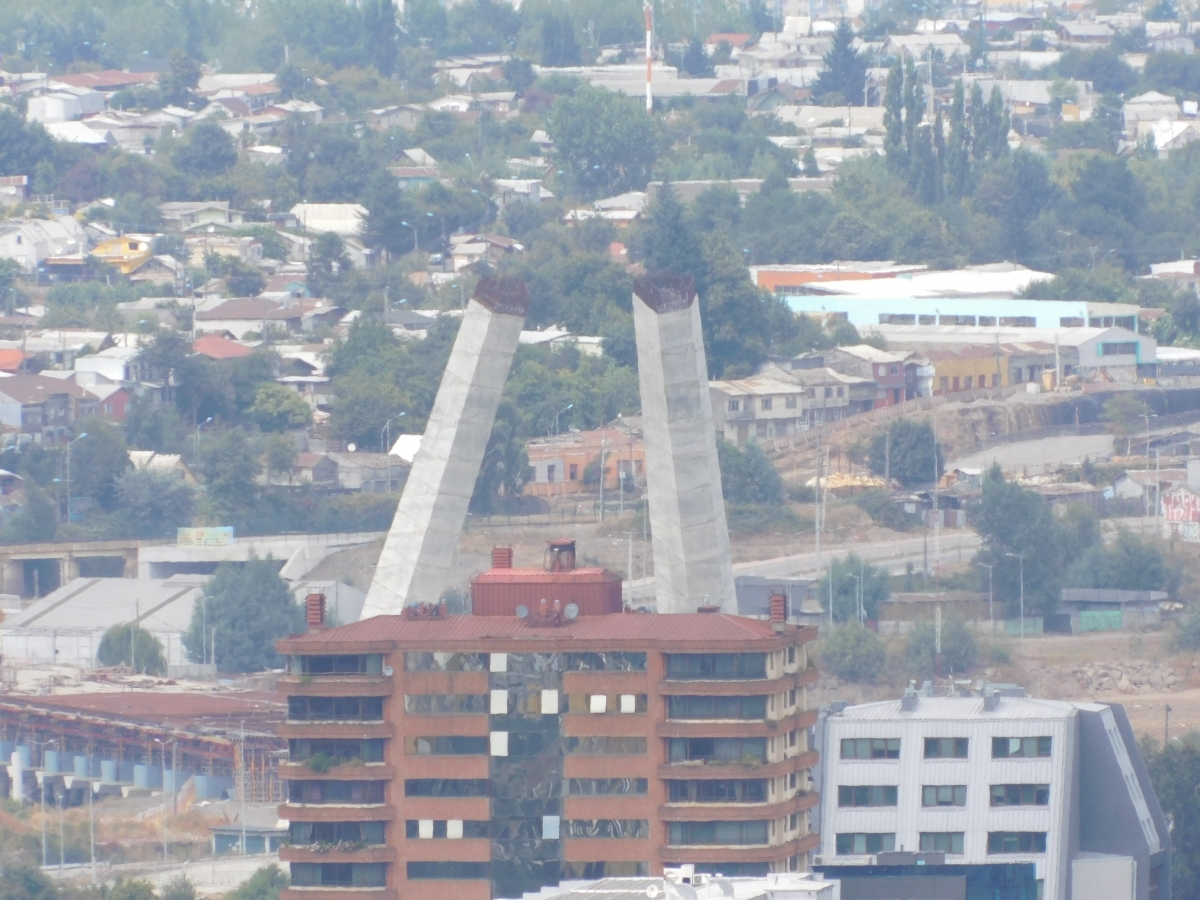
(605, 141)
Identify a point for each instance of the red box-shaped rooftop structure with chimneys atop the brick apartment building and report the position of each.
(502, 590)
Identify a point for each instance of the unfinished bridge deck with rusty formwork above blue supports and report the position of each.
(113, 741)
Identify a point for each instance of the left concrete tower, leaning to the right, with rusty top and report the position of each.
(419, 550)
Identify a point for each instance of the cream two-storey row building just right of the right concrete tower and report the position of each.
(781, 403)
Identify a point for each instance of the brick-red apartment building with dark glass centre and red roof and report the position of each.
(493, 754)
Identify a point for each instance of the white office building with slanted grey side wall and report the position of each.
(1013, 797)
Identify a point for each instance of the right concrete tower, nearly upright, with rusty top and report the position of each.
(692, 539)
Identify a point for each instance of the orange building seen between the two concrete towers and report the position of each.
(559, 465)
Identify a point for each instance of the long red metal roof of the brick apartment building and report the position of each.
(688, 628)
